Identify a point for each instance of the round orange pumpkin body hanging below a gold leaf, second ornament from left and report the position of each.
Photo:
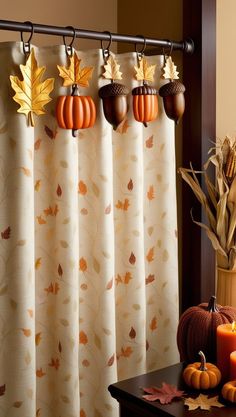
(75, 112)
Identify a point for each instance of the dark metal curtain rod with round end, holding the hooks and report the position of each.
(185, 45)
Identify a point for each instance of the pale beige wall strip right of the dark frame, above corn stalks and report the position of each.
(226, 69)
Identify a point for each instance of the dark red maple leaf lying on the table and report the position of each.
(165, 394)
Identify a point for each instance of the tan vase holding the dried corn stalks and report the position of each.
(226, 287)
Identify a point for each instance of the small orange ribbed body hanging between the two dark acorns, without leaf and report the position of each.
(145, 103)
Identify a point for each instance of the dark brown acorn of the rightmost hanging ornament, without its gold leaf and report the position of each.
(173, 99)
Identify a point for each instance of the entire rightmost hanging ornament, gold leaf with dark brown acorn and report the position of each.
(172, 92)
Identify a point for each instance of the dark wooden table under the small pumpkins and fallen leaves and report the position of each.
(129, 394)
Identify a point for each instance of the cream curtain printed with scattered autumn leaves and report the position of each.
(88, 248)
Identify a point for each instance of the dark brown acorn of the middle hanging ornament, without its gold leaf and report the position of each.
(115, 103)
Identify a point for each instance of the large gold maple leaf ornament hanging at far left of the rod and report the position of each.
(31, 93)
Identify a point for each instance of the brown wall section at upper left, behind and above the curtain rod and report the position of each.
(88, 14)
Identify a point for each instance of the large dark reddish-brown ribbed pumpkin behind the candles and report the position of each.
(197, 329)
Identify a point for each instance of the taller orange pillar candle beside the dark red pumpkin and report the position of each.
(226, 343)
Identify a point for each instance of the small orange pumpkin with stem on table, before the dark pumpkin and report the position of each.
(201, 375)
